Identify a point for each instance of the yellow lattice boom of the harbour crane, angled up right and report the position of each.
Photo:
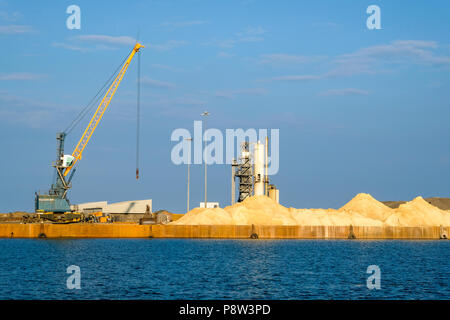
(77, 153)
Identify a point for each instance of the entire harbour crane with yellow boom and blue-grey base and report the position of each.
(55, 206)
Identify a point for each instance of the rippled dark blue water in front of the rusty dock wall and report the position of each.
(223, 269)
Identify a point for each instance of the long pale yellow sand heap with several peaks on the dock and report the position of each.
(362, 210)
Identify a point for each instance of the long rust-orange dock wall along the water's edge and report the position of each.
(118, 230)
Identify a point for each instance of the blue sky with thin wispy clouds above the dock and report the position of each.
(358, 110)
